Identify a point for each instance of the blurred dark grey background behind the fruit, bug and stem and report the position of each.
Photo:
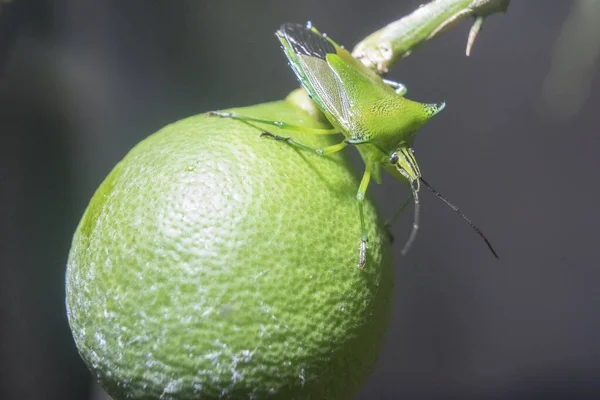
(82, 82)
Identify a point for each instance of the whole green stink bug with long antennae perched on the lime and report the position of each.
(372, 114)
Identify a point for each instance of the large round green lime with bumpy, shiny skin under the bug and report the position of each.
(213, 263)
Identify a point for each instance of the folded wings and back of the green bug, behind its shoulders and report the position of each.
(337, 83)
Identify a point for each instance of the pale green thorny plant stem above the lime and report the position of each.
(380, 50)
